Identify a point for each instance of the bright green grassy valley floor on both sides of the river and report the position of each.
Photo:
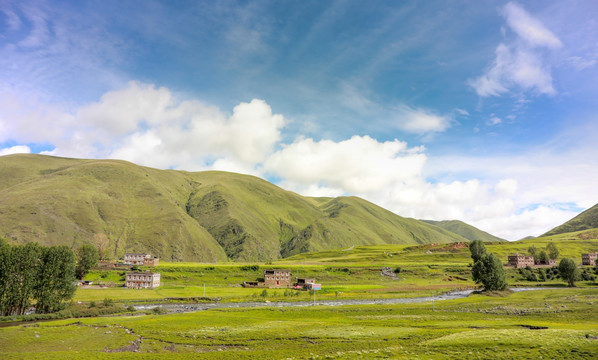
(554, 322)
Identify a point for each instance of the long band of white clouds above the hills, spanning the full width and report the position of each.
(151, 126)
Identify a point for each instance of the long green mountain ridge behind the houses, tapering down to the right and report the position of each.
(183, 216)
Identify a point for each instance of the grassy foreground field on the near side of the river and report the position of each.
(537, 324)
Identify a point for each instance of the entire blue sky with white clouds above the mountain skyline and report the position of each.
(483, 112)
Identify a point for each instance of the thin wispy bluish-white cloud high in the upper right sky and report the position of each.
(522, 63)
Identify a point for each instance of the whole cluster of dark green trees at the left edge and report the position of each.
(34, 274)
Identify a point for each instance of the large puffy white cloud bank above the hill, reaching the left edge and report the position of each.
(149, 126)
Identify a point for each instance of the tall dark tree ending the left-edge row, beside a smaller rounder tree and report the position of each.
(55, 282)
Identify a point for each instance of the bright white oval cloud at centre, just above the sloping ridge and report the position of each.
(357, 165)
